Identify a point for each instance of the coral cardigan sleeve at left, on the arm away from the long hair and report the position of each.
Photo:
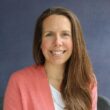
(12, 99)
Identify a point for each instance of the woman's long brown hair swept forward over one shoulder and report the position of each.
(78, 76)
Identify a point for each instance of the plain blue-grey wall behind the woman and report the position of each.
(17, 22)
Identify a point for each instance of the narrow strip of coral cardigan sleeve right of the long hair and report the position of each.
(94, 97)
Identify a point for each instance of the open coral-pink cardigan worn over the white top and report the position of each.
(28, 89)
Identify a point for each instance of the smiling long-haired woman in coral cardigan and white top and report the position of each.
(62, 78)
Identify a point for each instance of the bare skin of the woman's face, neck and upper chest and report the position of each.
(56, 47)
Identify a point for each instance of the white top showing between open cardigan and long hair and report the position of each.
(57, 99)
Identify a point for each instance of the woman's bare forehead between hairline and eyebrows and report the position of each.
(56, 22)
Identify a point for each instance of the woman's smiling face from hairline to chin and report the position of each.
(56, 39)
